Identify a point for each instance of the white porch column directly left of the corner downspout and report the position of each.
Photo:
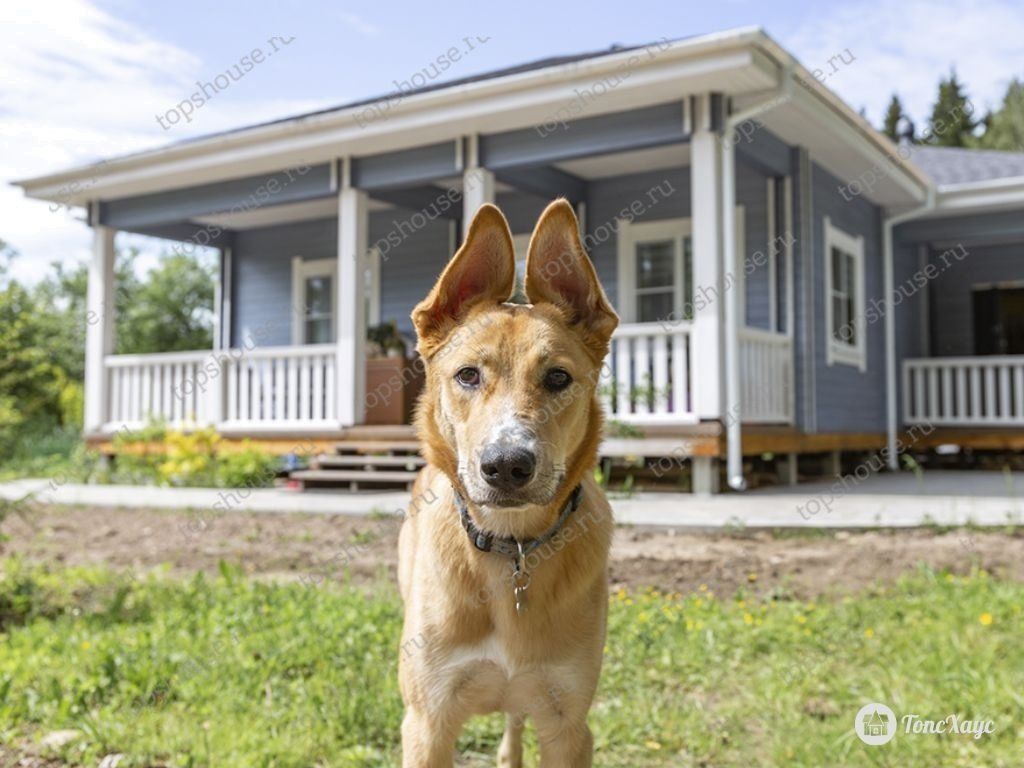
(709, 278)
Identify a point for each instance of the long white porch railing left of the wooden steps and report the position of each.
(264, 388)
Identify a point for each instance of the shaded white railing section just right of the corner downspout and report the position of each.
(766, 392)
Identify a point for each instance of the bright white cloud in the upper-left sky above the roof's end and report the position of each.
(80, 86)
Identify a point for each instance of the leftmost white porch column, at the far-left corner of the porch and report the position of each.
(100, 326)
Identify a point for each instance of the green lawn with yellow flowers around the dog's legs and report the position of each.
(233, 672)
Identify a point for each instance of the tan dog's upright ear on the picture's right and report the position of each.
(559, 272)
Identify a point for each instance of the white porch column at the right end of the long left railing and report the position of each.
(354, 226)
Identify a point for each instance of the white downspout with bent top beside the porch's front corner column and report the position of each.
(735, 448)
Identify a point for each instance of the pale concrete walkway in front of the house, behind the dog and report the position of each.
(888, 501)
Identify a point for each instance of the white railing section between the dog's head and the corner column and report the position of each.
(648, 376)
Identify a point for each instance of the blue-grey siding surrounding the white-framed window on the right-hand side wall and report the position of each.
(848, 400)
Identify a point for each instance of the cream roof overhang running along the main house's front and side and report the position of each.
(745, 65)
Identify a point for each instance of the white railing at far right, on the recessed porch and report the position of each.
(964, 392)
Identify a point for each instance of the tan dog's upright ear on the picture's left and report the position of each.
(482, 271)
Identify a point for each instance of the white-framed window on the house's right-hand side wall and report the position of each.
(845, 297)
